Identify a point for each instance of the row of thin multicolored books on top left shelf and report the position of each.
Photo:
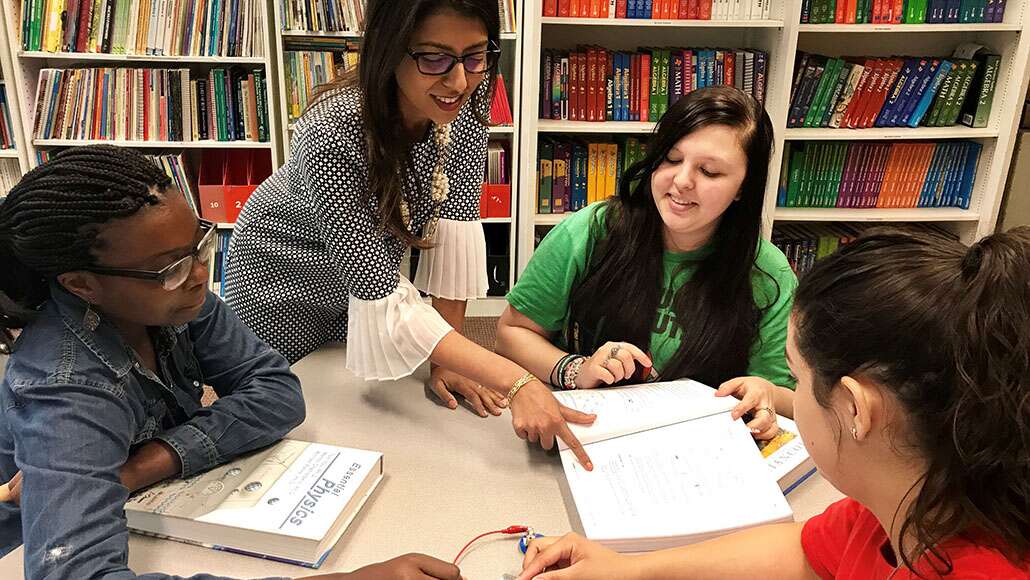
(211, 28)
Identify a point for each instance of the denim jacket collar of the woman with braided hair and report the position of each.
(107, 342)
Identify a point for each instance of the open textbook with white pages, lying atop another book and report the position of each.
(672, 467)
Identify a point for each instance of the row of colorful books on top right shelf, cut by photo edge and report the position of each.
(903, 12)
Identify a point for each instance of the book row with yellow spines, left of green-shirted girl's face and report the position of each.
(572, 175)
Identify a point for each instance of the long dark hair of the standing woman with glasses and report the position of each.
(390, 27)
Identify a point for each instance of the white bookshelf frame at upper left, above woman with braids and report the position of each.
(25, 67)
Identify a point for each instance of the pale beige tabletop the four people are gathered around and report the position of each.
(451, 475)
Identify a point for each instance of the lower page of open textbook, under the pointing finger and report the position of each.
(669, 487)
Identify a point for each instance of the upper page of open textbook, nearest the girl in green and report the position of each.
(630, 410)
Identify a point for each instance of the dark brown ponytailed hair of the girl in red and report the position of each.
(946, 331)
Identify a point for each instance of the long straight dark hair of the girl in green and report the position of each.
(620, 298)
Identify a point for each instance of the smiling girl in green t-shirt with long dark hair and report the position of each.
(672, 274)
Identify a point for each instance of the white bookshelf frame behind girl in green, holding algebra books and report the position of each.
(783, 37)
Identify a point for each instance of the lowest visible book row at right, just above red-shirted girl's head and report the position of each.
(804, 245)
